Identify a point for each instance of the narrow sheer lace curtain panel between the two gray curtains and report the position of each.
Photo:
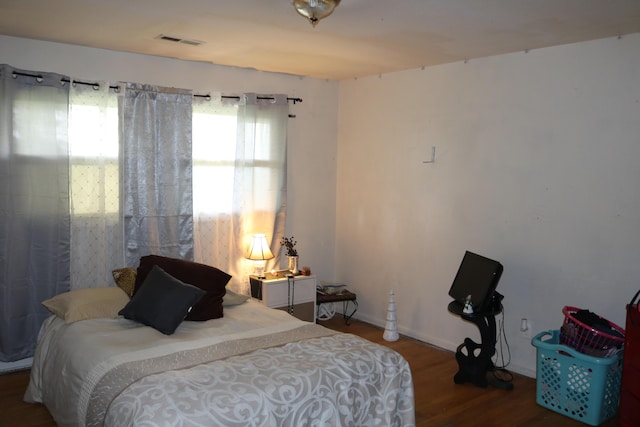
(96, 223)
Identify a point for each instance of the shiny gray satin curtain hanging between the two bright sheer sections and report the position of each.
(155, 134)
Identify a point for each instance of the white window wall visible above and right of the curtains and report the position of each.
(311, 138)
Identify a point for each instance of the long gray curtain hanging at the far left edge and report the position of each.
(34, 204)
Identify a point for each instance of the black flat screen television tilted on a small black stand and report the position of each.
(478, 277)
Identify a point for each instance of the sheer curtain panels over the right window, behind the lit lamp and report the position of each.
(239, 161)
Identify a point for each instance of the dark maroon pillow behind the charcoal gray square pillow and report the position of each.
(205, 277)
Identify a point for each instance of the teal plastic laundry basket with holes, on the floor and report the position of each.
(576, 385)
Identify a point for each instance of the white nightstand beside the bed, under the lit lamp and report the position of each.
(278, 292)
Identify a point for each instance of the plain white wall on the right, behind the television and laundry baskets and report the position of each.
(536, 166)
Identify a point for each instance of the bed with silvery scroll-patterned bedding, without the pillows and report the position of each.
(254, 366)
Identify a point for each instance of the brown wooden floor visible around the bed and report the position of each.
(439, 402)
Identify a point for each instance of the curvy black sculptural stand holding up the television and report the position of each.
(474, 360)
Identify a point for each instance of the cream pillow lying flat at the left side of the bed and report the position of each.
(88, 303)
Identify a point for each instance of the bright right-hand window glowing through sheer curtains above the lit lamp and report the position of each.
(219, 161)
